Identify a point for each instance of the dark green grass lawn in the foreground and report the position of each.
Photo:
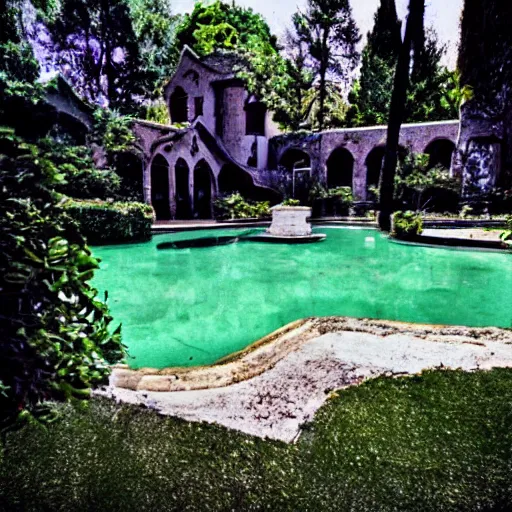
(440, 441)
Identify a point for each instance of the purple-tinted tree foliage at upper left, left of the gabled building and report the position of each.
(116, 53)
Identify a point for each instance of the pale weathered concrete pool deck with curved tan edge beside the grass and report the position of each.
(277, 386)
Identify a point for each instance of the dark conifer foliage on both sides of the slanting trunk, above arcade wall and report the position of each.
(434, 93)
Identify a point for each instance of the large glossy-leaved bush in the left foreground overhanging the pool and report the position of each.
(56, 336)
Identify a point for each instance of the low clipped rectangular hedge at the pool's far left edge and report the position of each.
(109, 223)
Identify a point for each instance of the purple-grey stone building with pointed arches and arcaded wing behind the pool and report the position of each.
(222, 139)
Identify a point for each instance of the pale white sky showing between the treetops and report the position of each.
(443, 15)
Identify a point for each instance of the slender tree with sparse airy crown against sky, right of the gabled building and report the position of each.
(330, 34)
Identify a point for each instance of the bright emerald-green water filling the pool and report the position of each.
(193, 306)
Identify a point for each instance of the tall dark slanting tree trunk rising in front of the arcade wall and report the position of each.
(396, 114)
